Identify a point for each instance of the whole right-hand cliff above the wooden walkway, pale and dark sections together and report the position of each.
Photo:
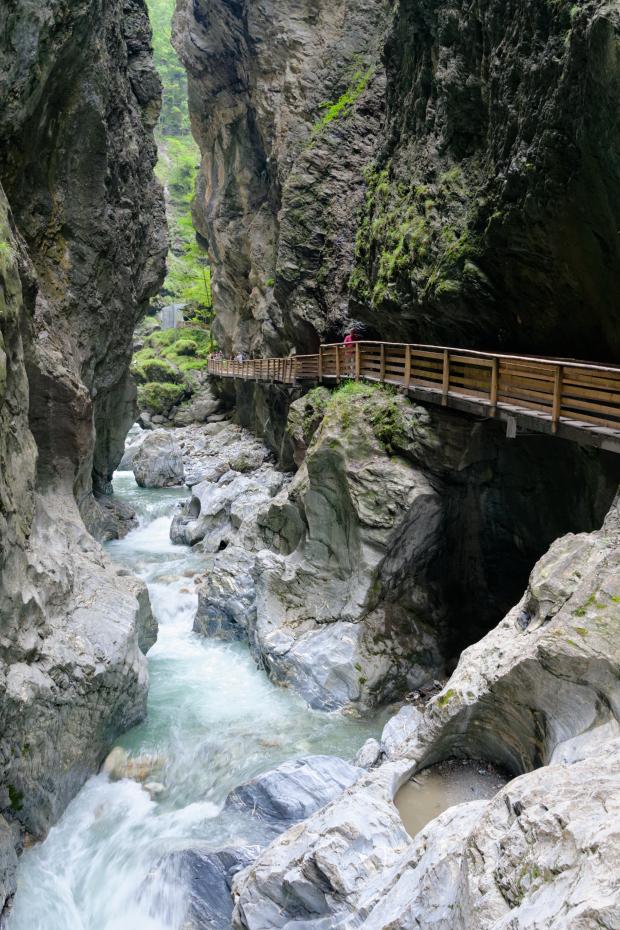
(463, 187)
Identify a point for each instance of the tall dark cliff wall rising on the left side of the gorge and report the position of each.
(79, 101)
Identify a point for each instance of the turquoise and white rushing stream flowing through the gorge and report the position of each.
(214, 721)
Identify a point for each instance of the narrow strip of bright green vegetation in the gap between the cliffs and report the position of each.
(188, 280)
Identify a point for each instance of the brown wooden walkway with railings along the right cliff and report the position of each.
(579, 401)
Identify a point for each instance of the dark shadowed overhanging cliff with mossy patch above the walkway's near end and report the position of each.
(492, 215)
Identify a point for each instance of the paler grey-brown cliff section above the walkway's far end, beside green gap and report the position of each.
(287, 102)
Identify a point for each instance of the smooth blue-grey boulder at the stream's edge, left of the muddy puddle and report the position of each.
(294, 790)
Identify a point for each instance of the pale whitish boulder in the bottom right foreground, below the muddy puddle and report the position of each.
(536, 856)
